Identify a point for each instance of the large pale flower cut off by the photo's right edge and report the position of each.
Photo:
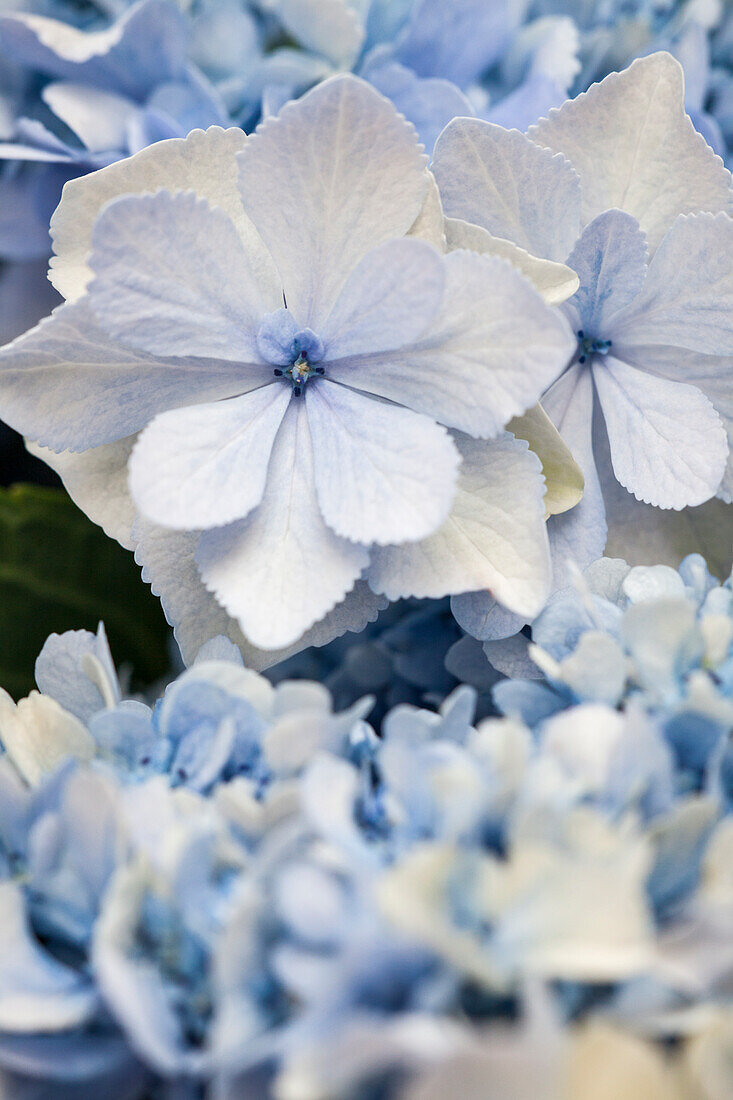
(618, 185)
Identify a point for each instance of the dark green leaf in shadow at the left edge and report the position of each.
(61, 573)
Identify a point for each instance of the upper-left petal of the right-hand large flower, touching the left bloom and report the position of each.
(501, 181)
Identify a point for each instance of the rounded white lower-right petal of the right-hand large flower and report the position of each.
(669, 445)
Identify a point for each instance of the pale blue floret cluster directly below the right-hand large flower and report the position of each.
(649, 640)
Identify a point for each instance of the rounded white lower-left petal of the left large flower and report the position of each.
(206, 466)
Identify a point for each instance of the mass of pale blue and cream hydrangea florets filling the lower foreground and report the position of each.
(239, 893)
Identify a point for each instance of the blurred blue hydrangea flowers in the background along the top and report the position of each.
(86, 83)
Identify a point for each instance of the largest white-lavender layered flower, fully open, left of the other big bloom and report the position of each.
(255, 377)
